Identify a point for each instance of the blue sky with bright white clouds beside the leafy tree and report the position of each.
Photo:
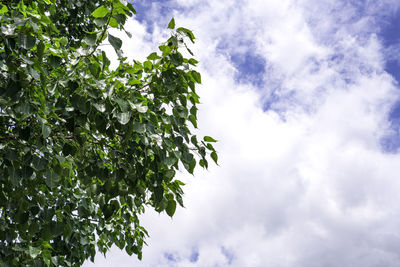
(303, 96)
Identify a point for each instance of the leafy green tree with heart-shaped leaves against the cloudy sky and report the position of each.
(84, 148)
